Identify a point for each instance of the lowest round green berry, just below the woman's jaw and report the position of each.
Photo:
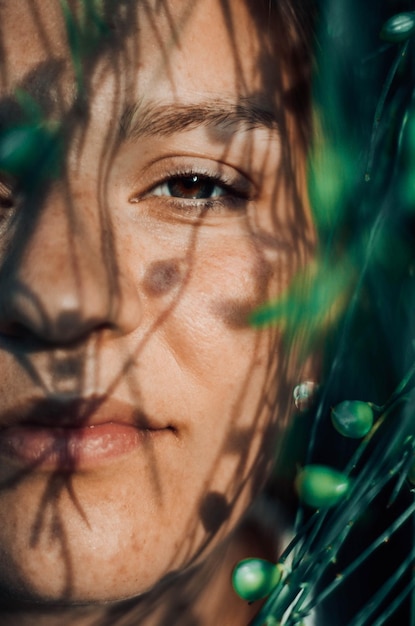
(254, 579)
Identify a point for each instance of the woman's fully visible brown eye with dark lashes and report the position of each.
(230, 195)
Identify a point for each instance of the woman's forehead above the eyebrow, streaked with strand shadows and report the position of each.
(171, 49)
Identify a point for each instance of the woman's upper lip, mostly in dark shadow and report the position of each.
(60, 412)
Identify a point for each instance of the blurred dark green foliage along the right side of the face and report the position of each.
(356, 306)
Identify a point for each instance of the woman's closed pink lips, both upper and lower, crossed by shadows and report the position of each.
(74, 435)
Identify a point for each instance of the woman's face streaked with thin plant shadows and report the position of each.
(138, 407)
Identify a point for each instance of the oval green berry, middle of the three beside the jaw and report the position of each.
(321, 487)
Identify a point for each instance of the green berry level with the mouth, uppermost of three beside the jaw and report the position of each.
(352, 418)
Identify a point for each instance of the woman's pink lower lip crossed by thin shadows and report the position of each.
(69, 449)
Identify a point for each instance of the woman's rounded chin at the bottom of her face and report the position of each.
(72, 571)
